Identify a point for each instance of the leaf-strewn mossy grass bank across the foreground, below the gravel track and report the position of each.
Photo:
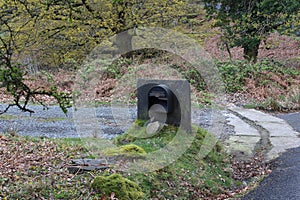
(40, 169)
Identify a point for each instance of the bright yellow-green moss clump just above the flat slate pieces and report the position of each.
(130, 150)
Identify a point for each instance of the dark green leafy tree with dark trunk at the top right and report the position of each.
(246, 22)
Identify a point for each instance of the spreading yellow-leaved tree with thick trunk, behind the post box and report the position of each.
(100, 19)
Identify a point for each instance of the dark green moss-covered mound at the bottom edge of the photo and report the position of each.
(122, 187)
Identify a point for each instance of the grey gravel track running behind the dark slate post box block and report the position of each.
(53, 123)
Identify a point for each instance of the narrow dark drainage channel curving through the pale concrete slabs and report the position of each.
(264, 144)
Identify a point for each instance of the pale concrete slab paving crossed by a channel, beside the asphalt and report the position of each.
(258, 131)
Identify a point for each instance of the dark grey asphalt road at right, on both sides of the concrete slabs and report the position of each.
(284, 181)
